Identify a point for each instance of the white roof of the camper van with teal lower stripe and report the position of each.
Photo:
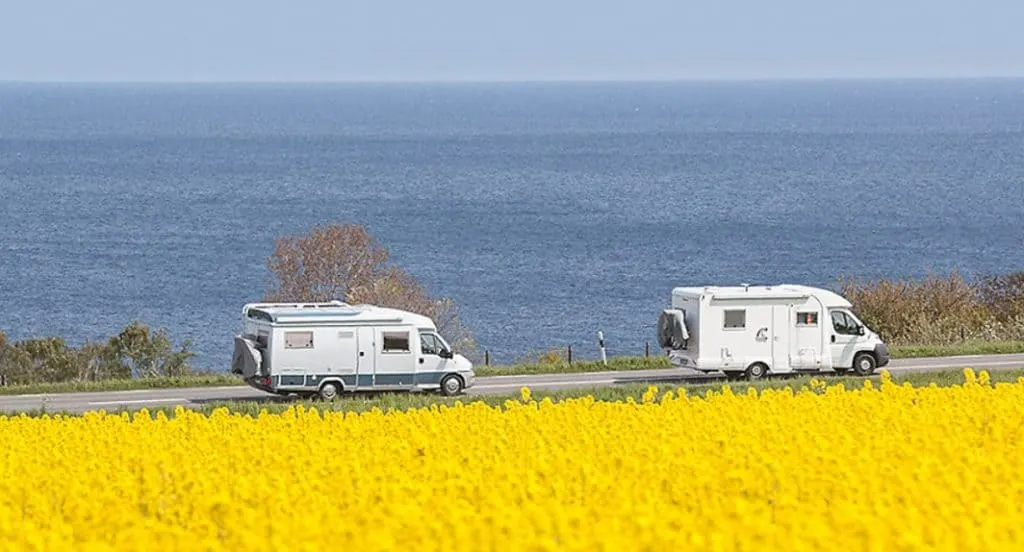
(332, 313)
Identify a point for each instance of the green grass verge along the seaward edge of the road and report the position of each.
(615, 364)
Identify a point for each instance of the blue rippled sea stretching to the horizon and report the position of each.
(547, 211)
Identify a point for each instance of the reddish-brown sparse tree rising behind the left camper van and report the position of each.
(346, 262)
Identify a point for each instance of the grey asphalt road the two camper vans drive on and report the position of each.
(197, 397)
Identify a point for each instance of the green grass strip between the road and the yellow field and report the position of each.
(403, 402)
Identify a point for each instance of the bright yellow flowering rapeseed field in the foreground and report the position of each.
(880, 469)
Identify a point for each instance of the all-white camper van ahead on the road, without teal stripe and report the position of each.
(754, 331)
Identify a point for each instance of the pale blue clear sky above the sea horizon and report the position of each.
(486, 40)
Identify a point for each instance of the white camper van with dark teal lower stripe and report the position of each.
(324, 350)
